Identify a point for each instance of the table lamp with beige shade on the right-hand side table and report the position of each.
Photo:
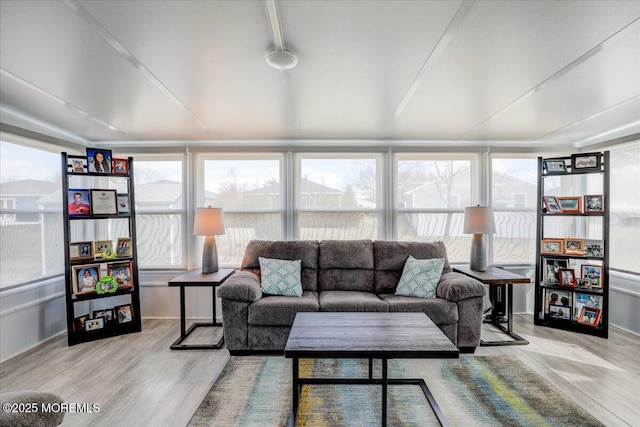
(478, 221)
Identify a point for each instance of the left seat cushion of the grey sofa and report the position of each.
(280, 311)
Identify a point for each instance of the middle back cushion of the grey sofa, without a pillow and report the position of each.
(346, 265)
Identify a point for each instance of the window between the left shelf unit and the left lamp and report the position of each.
(160, 211)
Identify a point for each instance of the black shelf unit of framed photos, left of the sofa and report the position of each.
(119, 309)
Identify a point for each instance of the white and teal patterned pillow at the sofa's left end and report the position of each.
(280, 277)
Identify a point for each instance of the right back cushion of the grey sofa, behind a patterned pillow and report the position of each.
(390, 257)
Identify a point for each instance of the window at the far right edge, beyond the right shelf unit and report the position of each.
(624, 231)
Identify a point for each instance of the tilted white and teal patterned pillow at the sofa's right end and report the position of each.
(420, 277)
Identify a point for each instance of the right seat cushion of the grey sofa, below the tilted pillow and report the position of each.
(439, 310)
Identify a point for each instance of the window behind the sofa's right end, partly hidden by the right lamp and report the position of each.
(431, 192)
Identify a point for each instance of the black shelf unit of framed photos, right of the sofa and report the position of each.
(583, 226)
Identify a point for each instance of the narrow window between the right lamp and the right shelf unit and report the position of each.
(514, 195)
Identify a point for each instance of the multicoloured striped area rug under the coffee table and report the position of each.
(472, 391)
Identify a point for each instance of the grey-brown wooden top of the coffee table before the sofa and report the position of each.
(367, 335)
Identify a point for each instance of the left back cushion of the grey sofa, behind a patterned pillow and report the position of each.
(304, 250)
